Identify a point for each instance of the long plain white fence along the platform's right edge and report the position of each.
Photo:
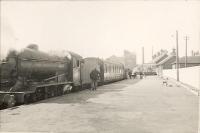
(189, 75)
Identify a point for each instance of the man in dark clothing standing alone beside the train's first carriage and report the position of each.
(94, 76)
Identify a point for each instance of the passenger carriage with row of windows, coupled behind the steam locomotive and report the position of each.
(109, 71)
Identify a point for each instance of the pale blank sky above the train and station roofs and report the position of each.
(100, 28)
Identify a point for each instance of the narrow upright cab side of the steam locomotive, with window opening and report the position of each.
(76, 72)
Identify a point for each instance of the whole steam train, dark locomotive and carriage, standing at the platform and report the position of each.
(32, 75)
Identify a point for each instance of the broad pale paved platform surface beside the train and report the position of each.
(129, 106)
